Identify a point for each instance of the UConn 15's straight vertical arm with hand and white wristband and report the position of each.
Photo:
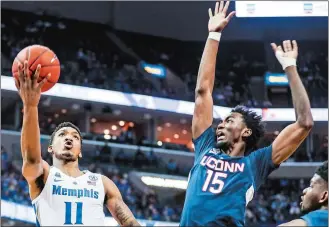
(203, 110)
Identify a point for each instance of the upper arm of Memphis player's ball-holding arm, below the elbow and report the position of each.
(32, 171)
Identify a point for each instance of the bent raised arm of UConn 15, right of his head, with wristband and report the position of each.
(293, 135)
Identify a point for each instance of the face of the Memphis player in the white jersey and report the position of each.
(66, 144)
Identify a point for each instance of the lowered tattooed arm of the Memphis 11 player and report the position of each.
(116, 205)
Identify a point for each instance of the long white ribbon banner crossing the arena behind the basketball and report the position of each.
(154, 103)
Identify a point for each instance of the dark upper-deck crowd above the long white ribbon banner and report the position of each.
(90, 58)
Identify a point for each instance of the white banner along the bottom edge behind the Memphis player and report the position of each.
(24, 213)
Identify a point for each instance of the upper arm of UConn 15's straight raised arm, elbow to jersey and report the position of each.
(203, 114)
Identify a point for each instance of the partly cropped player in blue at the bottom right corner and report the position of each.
(314, 201)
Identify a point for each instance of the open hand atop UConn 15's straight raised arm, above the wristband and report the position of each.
(218, 20)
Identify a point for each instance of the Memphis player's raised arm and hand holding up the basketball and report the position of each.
(30, 91)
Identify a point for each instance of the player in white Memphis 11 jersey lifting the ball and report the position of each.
(62, 194)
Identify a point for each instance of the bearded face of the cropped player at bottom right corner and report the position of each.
(315, 195)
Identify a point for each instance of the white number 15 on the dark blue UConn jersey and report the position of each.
(214, 181)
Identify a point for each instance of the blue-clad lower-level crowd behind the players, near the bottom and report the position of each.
(276, 202)
